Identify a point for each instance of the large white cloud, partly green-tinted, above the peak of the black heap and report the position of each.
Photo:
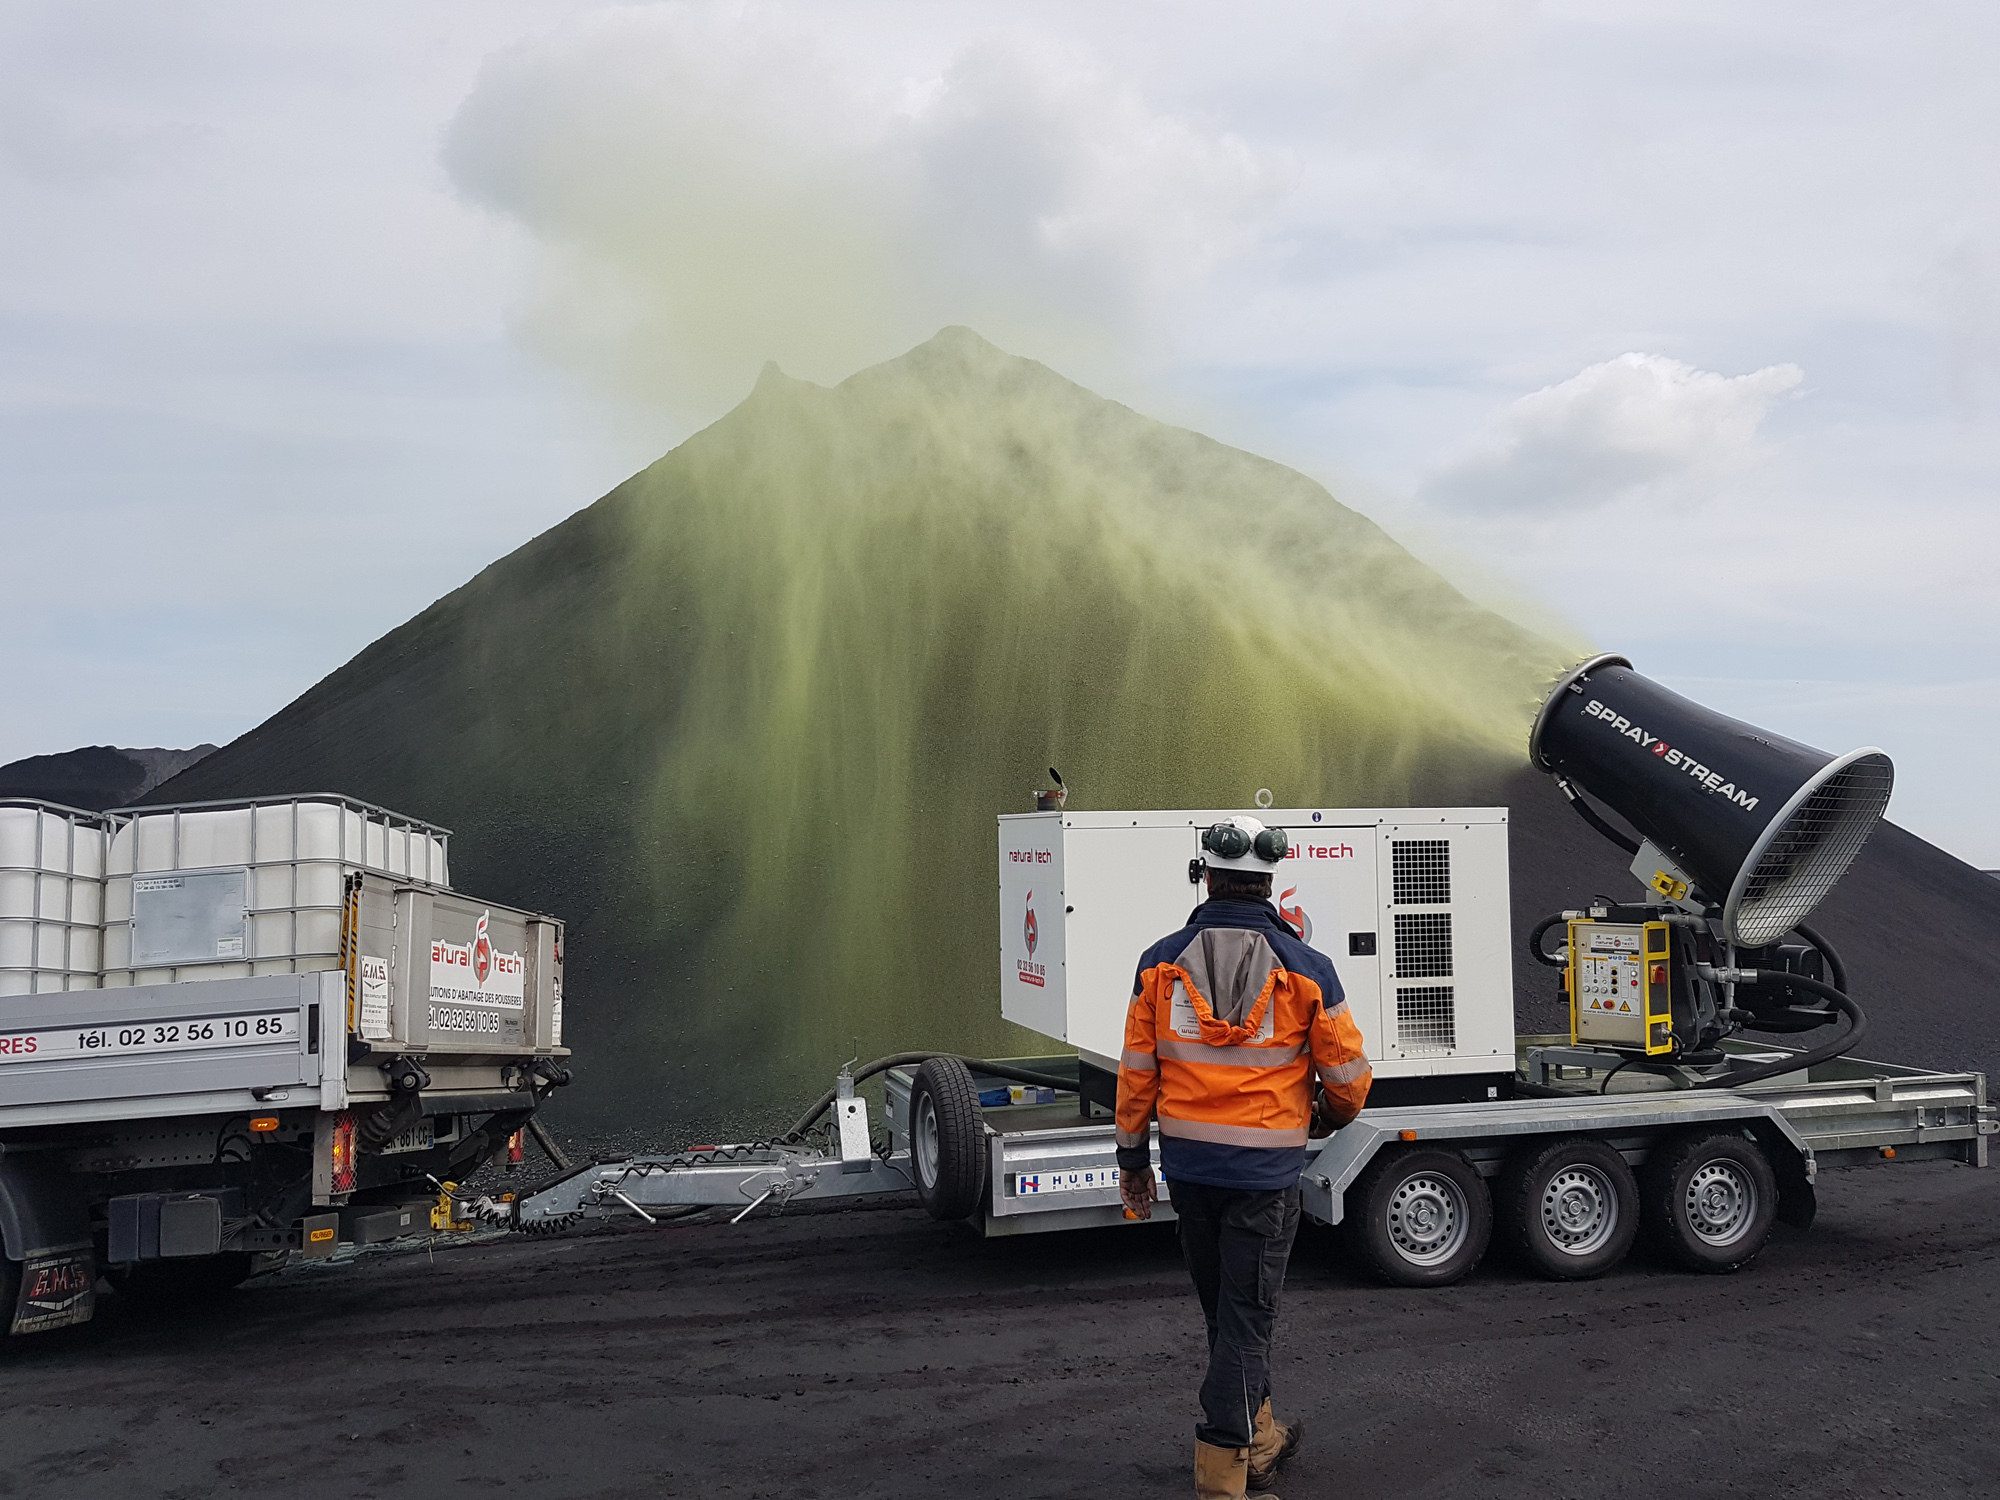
(723, 187)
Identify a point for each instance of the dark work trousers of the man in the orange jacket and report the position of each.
(1235, 1245)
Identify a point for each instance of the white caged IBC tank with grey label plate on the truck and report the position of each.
(295, 857)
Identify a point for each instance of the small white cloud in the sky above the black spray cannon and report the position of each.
(1621, 427)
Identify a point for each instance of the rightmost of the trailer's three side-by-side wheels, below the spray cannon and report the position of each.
(1711, 1201)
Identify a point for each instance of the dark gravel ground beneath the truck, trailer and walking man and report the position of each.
(873, 1353)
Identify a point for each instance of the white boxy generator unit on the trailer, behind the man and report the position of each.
(1411, 905)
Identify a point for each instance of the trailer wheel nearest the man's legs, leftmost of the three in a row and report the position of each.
(1419, 1219)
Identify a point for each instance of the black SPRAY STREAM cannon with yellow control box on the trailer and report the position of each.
(1739, 839)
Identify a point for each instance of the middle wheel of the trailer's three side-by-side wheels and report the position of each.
(1571, 1209)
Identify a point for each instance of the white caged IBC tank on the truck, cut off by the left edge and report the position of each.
(51, 897)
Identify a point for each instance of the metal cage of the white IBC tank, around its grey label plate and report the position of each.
(297, 853)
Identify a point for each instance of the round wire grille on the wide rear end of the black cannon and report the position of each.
(1813, 851)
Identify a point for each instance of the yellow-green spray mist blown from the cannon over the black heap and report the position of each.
(905, 597)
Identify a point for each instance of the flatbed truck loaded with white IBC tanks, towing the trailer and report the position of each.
(241, 1033)
